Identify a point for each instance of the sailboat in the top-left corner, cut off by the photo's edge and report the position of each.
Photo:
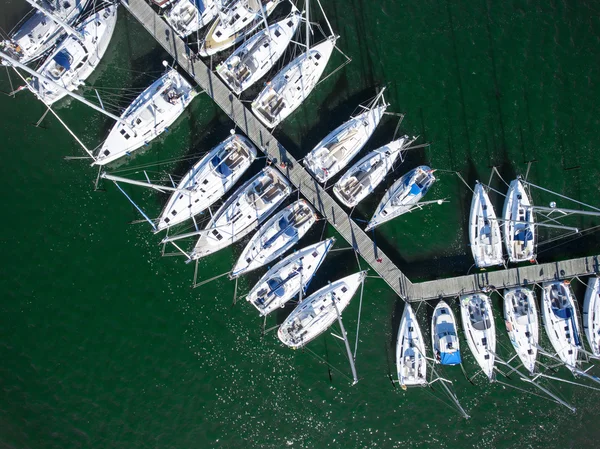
(39, 33)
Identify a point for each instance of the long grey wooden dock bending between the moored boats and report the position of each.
(324, 203)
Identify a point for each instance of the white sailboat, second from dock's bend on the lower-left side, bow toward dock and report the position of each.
(282, 282)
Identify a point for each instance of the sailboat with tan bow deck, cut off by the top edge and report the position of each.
(234, 23)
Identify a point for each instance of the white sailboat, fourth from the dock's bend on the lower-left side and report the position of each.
(249, 206)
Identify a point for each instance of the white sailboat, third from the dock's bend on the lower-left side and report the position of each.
(276, 237)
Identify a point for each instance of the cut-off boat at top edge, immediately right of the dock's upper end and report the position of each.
(188, 16)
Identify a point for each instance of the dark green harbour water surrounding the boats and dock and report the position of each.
(104, 344)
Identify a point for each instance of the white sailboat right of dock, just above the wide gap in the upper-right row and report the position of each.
(290, 87)
